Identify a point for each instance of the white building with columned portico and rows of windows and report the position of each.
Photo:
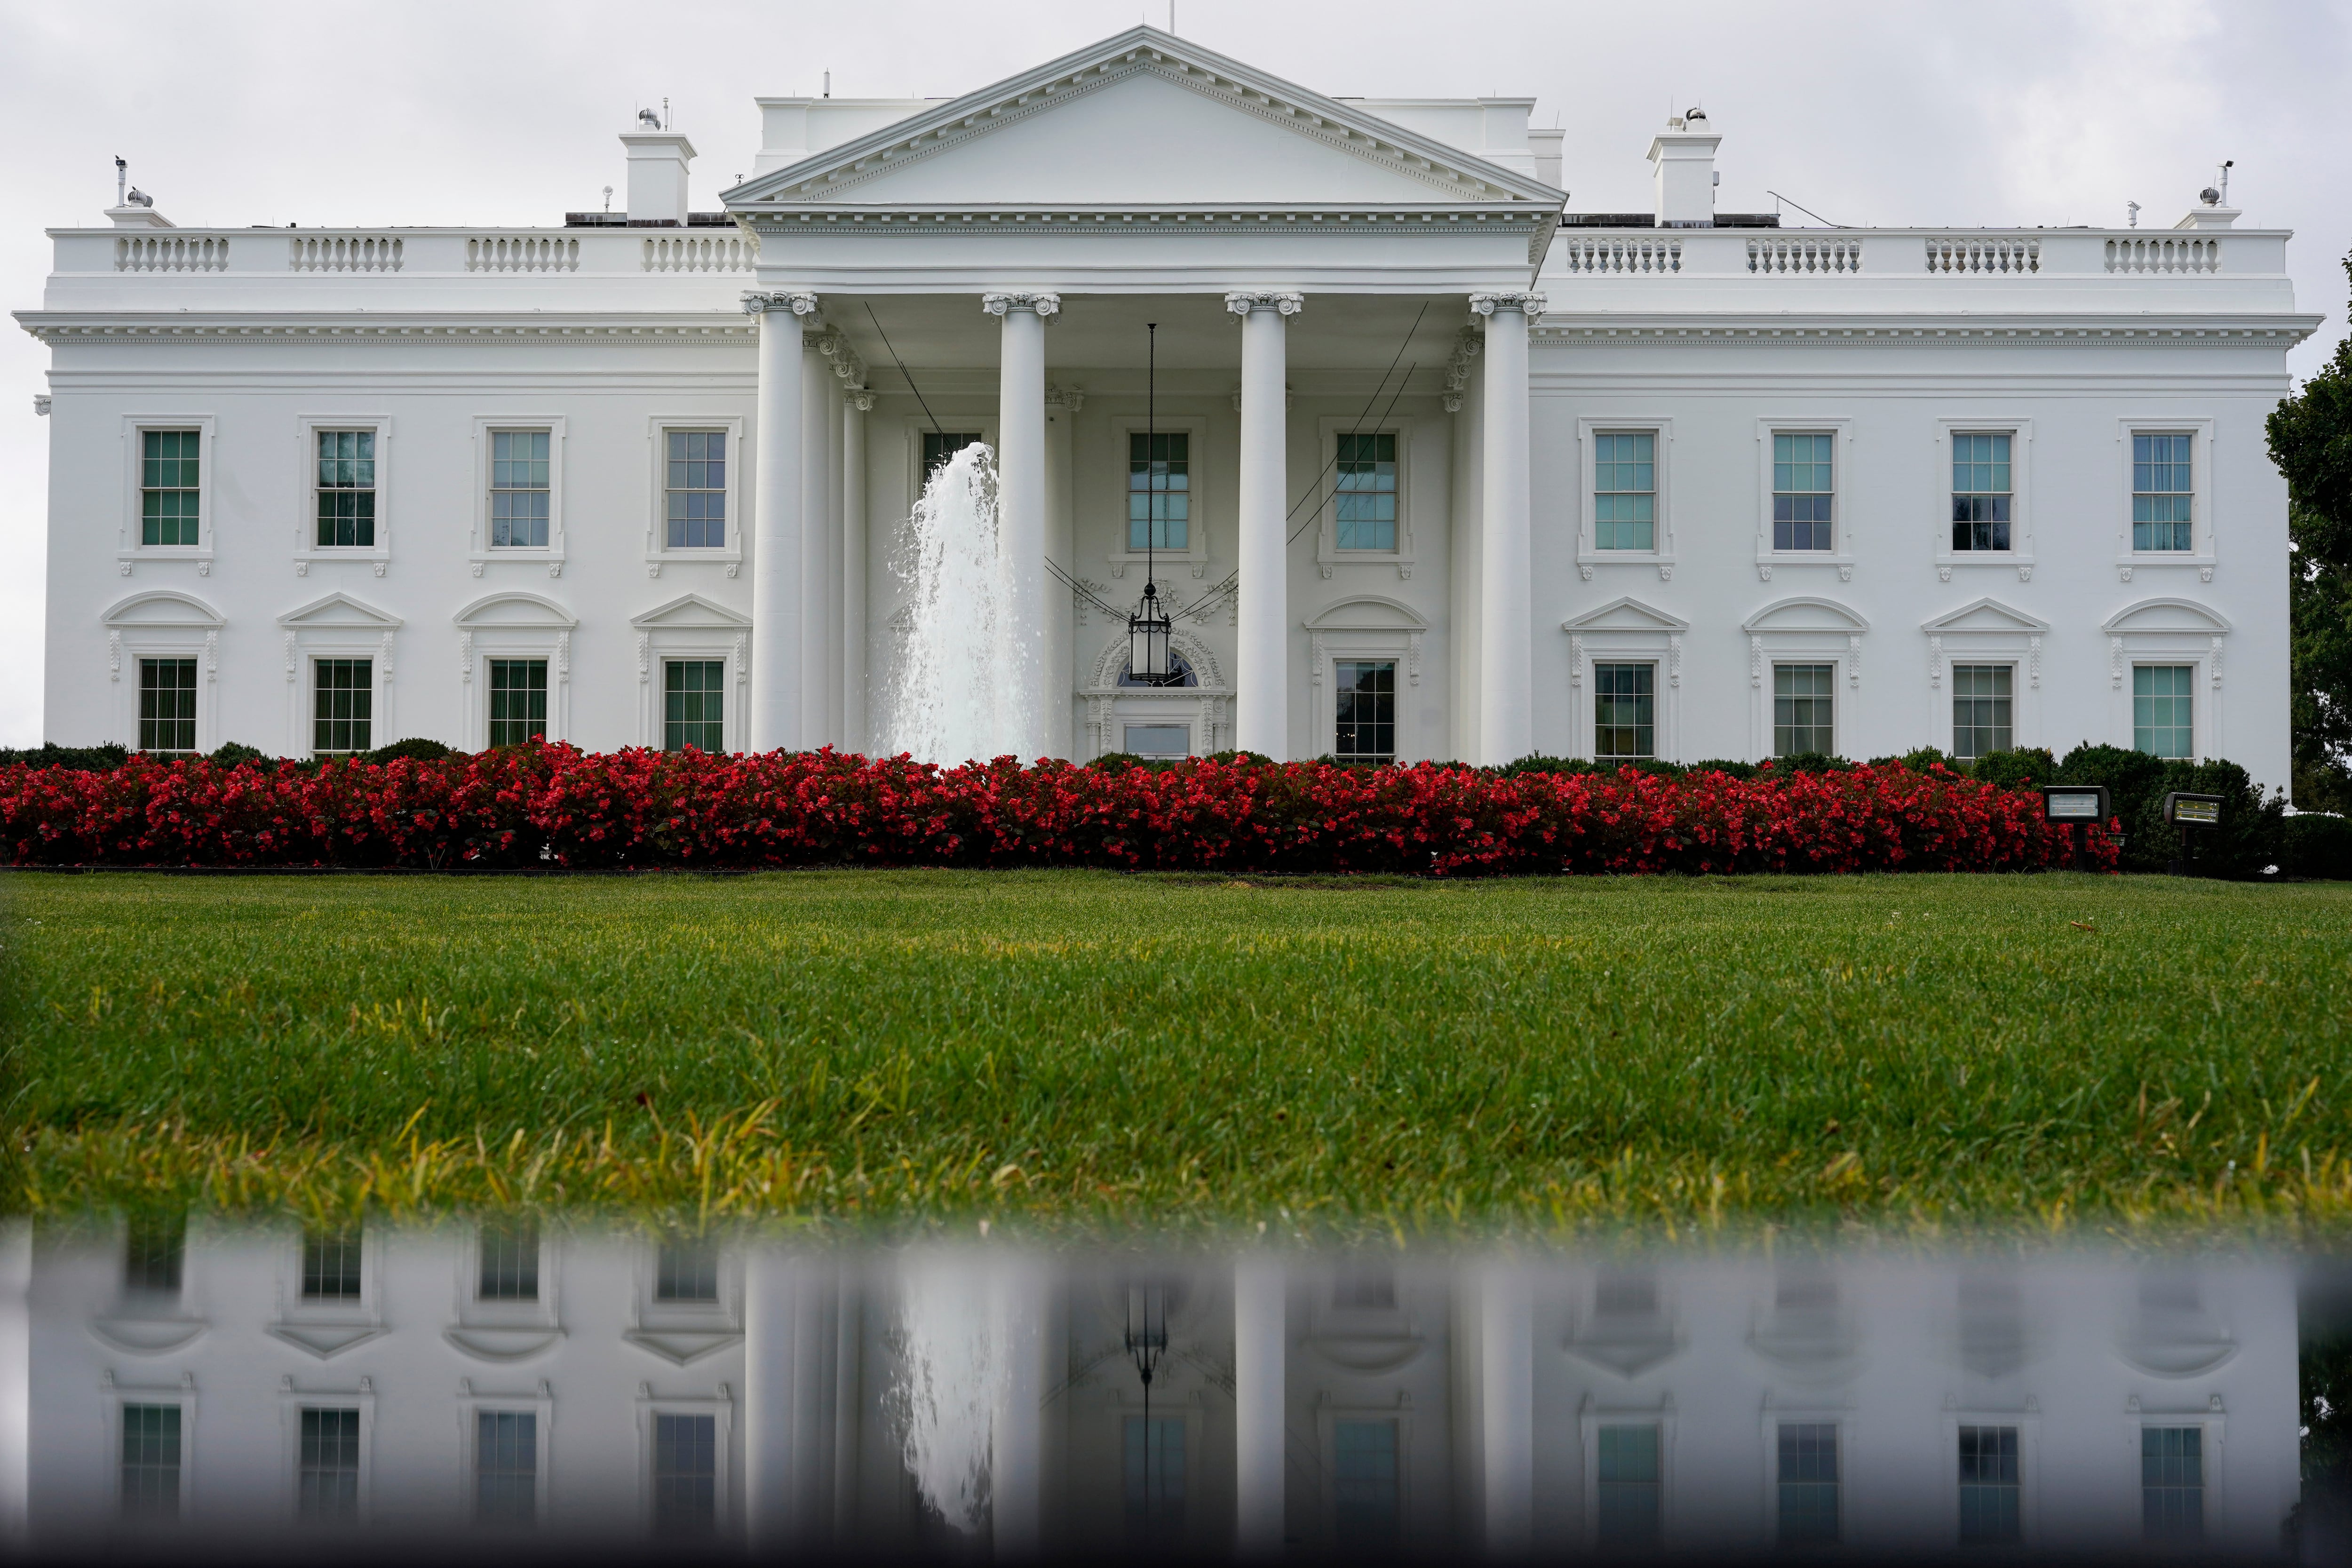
(1429, 467)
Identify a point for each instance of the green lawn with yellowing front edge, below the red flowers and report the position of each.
(1090, 1052)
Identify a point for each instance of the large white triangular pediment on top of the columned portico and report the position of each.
(1142, 119)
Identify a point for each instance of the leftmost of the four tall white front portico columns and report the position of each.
(775, 525)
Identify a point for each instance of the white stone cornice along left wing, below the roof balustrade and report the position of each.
(385, 328)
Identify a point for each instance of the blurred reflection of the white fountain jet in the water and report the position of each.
(949, 1388)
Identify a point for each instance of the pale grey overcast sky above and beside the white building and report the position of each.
(495, 112)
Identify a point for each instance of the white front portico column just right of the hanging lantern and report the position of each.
(1262, 678)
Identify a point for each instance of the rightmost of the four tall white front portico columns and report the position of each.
(1506, 556)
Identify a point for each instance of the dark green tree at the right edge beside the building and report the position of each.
(2311, 441)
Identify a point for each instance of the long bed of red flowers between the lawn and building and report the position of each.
(554, 805)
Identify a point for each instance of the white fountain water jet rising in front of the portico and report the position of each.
(958, 692)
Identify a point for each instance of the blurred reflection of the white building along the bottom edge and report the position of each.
(258, 1388)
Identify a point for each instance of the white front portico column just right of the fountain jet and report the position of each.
(1022, 485)
